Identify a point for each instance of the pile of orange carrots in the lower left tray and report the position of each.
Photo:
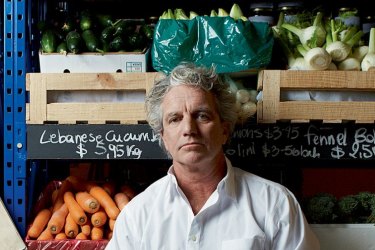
(80, 210)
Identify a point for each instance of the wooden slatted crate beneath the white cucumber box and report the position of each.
(41, 85)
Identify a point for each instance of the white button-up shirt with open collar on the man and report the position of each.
(244, 212)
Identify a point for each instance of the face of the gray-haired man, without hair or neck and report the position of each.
(192, 130)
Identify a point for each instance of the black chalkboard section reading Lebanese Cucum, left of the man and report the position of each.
(92, 142)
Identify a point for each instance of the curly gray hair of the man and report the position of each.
(191, 75)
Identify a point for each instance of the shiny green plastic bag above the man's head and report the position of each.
(230, 45)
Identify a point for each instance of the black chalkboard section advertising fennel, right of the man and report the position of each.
(304, 141)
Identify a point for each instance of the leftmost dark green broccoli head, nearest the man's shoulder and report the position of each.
(320, 208)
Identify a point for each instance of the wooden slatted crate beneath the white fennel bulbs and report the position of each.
(272, 109)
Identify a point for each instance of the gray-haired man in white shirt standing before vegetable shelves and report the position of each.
(204, 202)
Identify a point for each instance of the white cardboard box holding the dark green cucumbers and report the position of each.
(95, 62)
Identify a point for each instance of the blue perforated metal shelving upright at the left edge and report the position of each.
(14, 62)
